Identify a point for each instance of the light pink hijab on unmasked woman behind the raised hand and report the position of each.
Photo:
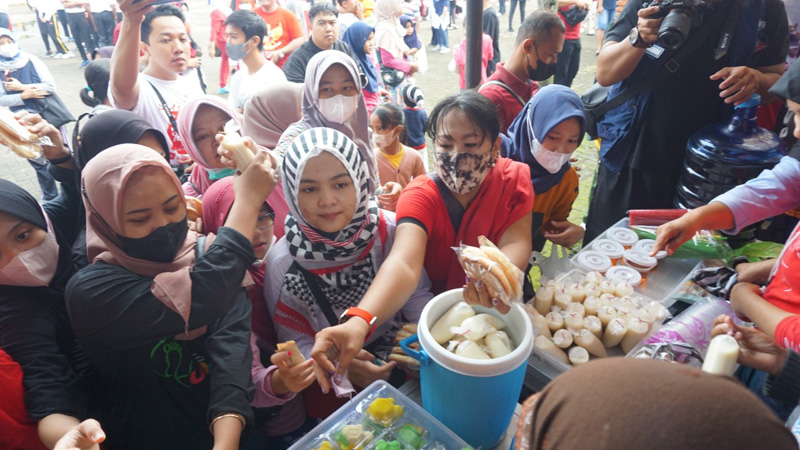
(199, 178)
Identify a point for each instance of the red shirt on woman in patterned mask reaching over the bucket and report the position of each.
(504, 197)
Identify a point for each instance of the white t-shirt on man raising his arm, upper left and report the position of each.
(176, 93)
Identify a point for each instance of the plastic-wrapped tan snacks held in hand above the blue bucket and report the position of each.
(503, 280)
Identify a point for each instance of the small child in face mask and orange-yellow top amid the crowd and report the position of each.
(396, 162)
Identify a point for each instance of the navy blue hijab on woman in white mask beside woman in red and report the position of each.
(550, 106)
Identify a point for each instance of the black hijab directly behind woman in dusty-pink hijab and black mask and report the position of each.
(111, 128)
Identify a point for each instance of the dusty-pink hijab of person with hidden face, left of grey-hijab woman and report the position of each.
(270, 111)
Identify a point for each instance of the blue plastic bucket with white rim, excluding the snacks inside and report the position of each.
(474, 398)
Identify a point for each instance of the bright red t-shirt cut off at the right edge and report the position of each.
(783, 291)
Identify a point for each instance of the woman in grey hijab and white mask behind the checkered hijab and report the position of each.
(332, 98)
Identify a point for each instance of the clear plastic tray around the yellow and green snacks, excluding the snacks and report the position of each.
(435, 435)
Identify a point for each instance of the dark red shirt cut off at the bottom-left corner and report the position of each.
(18, 430)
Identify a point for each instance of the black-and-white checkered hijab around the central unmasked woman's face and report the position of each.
(317, 253)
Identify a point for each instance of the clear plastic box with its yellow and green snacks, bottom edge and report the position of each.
(380, 417)
